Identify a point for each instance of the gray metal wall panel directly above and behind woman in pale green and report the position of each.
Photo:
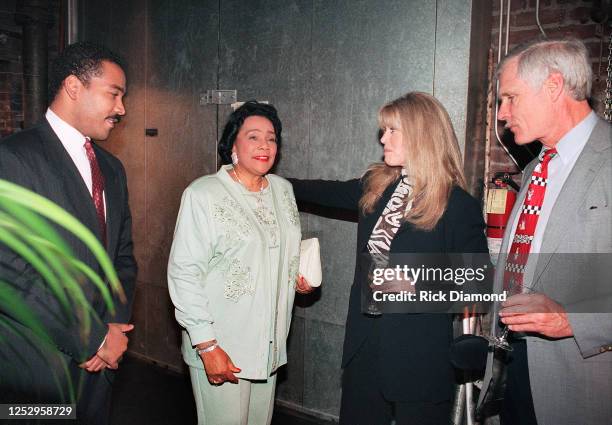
(265, 55)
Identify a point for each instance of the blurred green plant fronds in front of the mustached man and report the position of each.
(25, 230)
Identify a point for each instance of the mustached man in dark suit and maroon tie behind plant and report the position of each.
(58, 160)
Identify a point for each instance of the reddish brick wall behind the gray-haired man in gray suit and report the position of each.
(558, 18)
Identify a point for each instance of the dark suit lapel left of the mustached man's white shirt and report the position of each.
(75, 191)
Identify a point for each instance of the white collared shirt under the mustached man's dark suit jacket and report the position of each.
(74, 143)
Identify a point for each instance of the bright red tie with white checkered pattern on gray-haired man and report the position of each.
(525, 229)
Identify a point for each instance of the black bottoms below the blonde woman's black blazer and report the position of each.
(363, 402)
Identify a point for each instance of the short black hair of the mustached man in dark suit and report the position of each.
(81, 59)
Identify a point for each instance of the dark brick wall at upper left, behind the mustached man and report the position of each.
(11, 78)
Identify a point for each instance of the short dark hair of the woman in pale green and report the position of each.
(235, 121)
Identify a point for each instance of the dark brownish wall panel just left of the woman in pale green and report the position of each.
(182, 44)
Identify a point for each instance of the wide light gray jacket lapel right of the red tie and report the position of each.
(572, 194)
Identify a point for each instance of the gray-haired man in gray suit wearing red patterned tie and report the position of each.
(561, 367)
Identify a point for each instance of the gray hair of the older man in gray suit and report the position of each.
(538, 59)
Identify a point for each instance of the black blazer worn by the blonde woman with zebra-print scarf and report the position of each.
(414, 348)
